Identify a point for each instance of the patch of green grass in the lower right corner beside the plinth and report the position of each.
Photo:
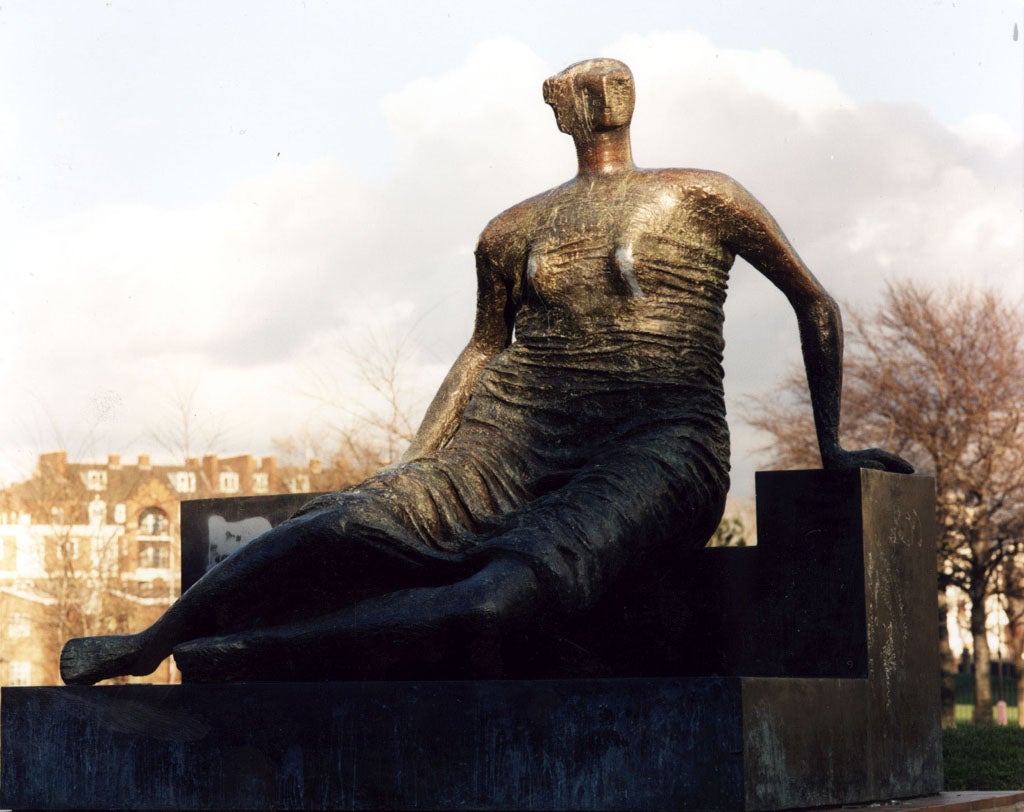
(984, 759)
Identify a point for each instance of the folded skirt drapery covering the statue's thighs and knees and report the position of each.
(437, 521)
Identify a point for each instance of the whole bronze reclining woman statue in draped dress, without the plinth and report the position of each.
(579, 436)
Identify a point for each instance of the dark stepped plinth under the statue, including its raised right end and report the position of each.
(822, 643)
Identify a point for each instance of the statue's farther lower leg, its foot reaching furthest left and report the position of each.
(304, 568)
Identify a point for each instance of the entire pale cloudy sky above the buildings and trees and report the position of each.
(229, 200)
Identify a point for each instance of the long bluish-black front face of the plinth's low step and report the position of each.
(673, 744)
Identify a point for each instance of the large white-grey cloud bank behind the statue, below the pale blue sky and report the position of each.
(250, 289)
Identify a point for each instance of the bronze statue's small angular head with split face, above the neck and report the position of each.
(592, 96)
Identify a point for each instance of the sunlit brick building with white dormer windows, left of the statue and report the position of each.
(94, 548)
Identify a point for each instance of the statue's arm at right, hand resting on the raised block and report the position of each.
(753, 234)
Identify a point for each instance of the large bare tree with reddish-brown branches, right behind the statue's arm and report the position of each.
(937, 377)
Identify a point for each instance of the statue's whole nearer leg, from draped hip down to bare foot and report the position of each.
(578, 539)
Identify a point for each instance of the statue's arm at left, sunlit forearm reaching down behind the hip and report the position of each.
(492, 334)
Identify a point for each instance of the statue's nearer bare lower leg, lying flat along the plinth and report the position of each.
(409, 627)
